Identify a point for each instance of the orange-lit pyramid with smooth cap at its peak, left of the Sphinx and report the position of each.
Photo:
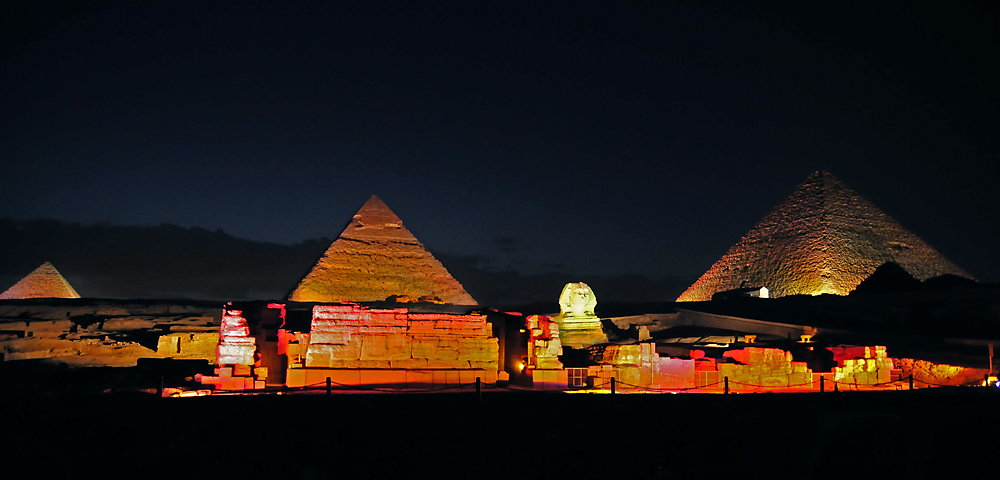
(374, 258)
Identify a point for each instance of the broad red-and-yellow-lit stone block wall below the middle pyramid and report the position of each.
(384, 344)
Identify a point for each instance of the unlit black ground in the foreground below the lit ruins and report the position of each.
(522, 435)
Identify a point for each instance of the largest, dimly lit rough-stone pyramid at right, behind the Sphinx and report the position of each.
(824, 238)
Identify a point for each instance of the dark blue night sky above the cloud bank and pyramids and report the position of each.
(585, 139)
